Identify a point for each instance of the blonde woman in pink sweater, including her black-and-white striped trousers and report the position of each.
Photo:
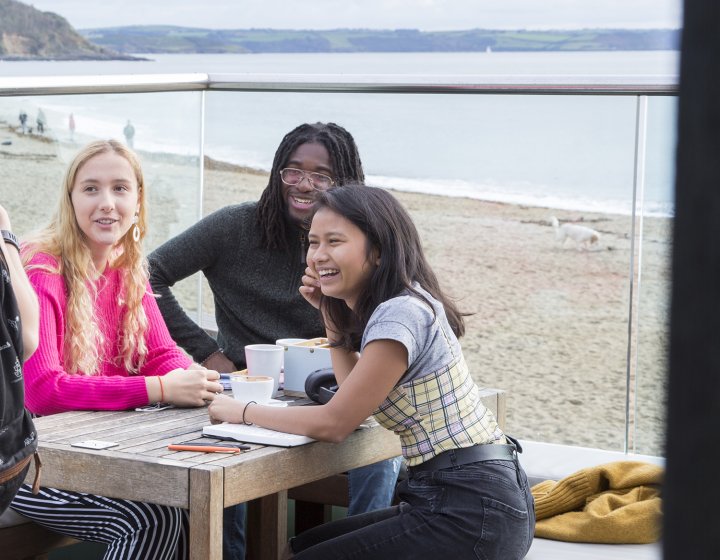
(103, 343)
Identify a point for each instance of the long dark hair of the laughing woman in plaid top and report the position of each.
(392, 234)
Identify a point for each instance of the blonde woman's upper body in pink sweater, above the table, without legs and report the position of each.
(106, 346)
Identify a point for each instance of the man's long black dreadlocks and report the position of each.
(346, 166)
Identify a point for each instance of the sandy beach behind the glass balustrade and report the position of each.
(549, 323)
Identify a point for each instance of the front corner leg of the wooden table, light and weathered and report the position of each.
(206, 509)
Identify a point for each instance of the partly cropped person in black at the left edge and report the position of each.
(19, 324)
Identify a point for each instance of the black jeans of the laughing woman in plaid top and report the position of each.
(482, 510)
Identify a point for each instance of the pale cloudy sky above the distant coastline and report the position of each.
(426, 15)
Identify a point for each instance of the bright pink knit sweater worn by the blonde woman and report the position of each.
(50, 389)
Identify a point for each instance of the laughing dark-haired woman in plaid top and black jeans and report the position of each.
(396, 355)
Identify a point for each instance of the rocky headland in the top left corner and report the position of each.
(29, 34)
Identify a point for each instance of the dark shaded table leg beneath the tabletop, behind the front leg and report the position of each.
(267, 527)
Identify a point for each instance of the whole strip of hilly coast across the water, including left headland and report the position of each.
(27, 33)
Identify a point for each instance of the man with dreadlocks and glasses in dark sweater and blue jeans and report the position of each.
(253, 256)
